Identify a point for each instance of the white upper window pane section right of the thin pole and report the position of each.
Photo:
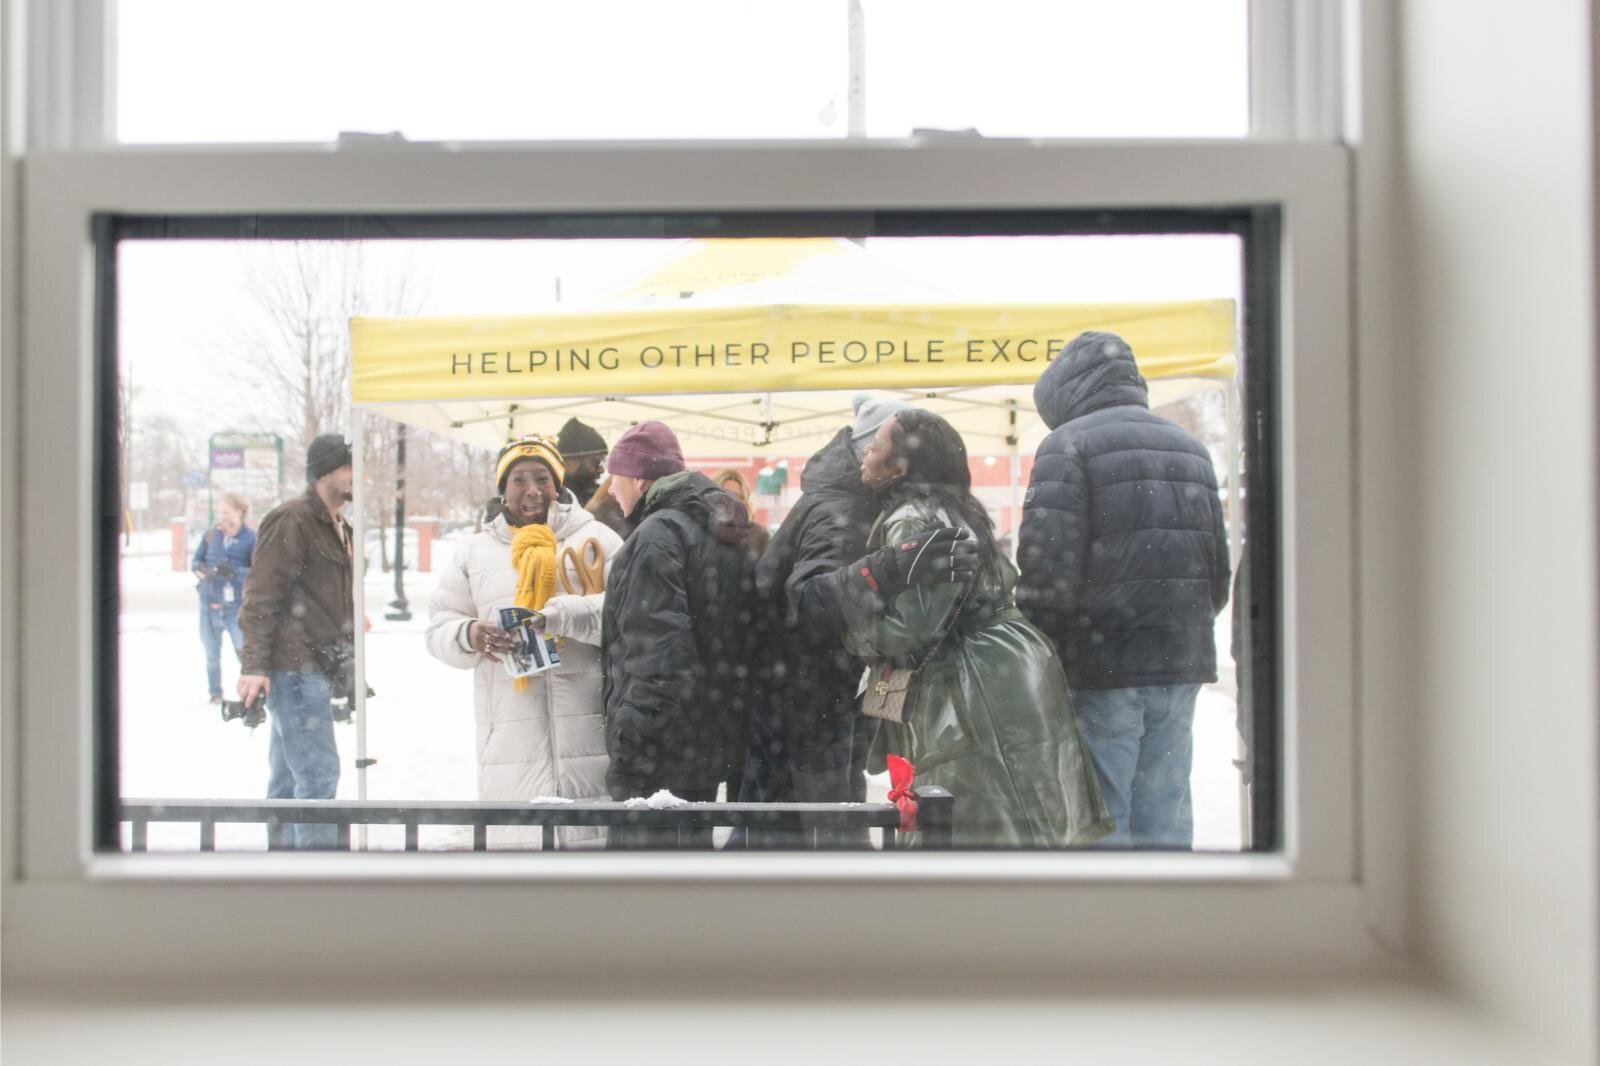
(1081, 70)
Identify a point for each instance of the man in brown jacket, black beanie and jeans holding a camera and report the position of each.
(300, 633)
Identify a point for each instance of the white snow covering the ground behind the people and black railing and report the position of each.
(420, 727)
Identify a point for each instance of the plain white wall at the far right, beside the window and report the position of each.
(1497, 116)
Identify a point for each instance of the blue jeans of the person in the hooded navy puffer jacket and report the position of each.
(1142, 742)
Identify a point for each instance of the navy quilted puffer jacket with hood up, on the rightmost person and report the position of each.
(1122, 550)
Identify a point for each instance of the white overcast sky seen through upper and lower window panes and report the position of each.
(476, 70)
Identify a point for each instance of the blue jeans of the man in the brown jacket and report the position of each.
(303, 761)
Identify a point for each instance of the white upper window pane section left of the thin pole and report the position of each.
(479, 70)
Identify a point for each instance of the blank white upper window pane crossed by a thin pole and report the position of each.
(191, 71)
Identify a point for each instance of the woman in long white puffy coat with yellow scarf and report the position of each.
(545, 740)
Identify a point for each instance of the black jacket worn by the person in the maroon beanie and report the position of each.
(676, 638)
